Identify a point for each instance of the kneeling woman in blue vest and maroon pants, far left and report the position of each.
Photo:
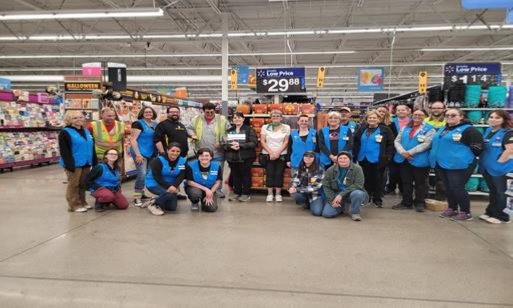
(104, 181)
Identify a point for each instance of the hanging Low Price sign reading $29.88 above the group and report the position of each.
(281, 80)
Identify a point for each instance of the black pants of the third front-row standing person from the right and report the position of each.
(414, 178)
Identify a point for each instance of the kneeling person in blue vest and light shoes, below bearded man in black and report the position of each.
(165, 175)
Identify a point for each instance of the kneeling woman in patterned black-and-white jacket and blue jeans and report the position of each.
(306, 186)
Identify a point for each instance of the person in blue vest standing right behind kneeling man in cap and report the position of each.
(333, 139)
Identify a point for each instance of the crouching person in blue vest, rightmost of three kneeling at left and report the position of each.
(203, 176)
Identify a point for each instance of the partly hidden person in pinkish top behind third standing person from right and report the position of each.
(401, 119)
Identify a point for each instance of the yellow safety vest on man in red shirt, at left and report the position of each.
(105, 140)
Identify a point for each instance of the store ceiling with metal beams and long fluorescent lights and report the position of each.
(370, 29)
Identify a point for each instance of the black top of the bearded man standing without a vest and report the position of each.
(169, 131)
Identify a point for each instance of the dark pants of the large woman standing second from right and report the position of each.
(455, 181)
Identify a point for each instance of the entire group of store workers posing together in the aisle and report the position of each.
(337, 169)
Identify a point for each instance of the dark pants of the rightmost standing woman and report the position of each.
(498, 186)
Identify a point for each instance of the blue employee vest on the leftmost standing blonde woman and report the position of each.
(81, 149)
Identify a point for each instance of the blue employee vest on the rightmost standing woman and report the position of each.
(492, 151)
